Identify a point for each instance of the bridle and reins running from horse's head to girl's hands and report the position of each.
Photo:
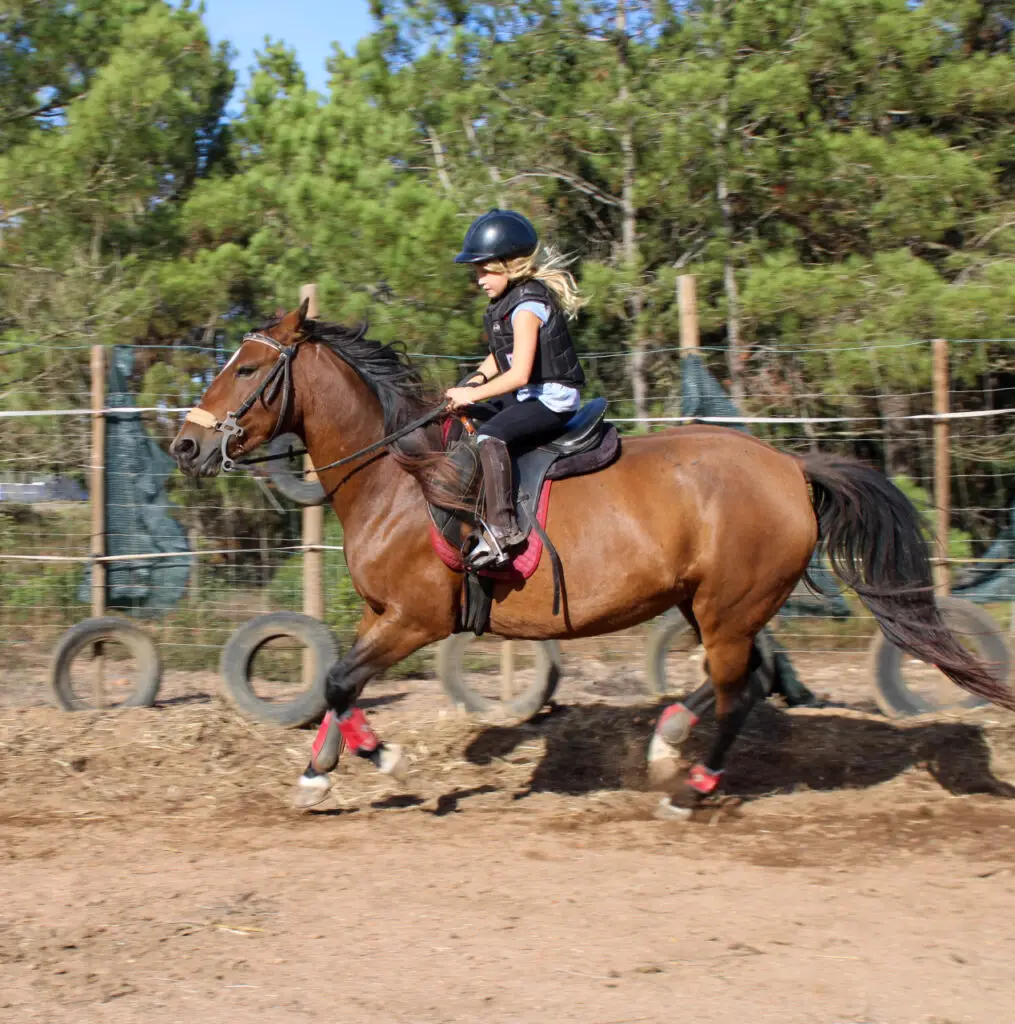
(280, 377)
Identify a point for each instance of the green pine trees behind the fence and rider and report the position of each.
(836, 175)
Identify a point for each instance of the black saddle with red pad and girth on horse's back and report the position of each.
(587, 444)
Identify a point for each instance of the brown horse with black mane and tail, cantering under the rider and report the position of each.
(711, 521)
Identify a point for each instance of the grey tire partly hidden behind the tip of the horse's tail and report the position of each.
(885, 661)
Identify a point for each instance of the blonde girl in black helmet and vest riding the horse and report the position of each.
(529, 385)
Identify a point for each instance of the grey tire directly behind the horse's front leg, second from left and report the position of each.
(248, 639)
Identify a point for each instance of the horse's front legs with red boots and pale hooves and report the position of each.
(385, 641)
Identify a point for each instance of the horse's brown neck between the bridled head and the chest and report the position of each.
(340, 418)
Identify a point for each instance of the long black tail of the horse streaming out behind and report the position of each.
(874, 540)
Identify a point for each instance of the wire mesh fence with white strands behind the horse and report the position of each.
(245, 550)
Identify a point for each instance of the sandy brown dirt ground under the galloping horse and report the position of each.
(857, 871)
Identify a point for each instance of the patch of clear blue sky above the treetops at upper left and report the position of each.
(310, 27)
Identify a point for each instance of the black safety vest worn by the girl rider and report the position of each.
(557, 361)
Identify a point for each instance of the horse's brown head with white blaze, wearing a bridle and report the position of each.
(248, 404)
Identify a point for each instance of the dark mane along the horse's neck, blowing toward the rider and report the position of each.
(389, 373)
